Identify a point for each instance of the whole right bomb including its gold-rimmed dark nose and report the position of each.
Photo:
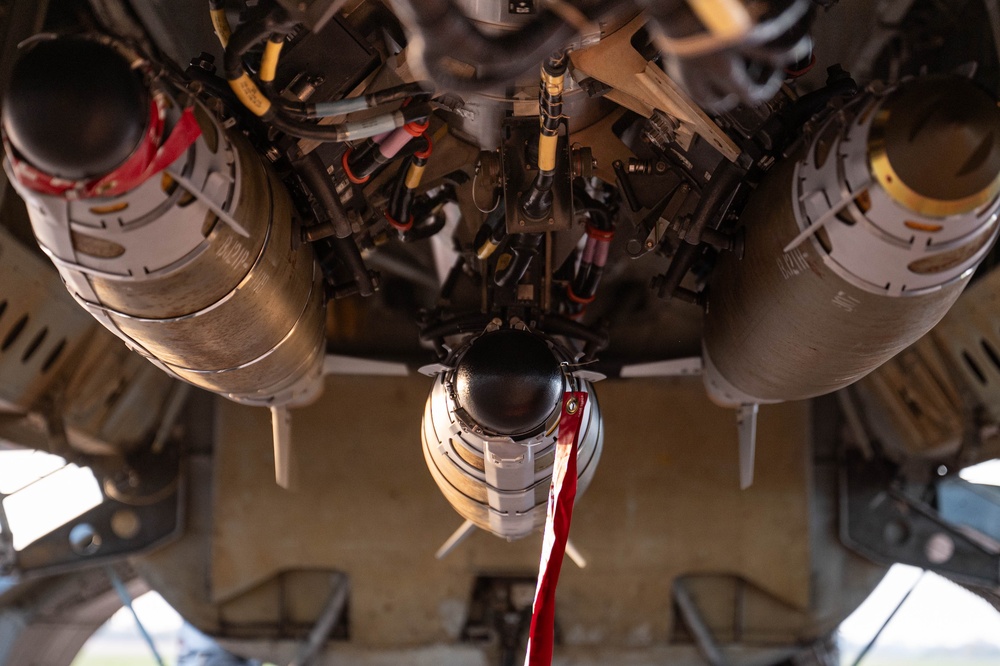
(858, 245)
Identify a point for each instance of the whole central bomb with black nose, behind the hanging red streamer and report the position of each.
(490, 427)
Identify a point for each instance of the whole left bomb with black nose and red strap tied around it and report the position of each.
(167, 228)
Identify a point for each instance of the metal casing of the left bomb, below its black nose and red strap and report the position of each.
(197, 270)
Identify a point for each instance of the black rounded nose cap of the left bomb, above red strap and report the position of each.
(74, 108)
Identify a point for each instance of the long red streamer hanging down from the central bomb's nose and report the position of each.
(562, 495)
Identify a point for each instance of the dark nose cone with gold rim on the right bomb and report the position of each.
(935, 146)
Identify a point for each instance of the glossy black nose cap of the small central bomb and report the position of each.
(509, 382)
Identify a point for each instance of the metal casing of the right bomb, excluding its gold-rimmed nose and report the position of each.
(839, 274)
